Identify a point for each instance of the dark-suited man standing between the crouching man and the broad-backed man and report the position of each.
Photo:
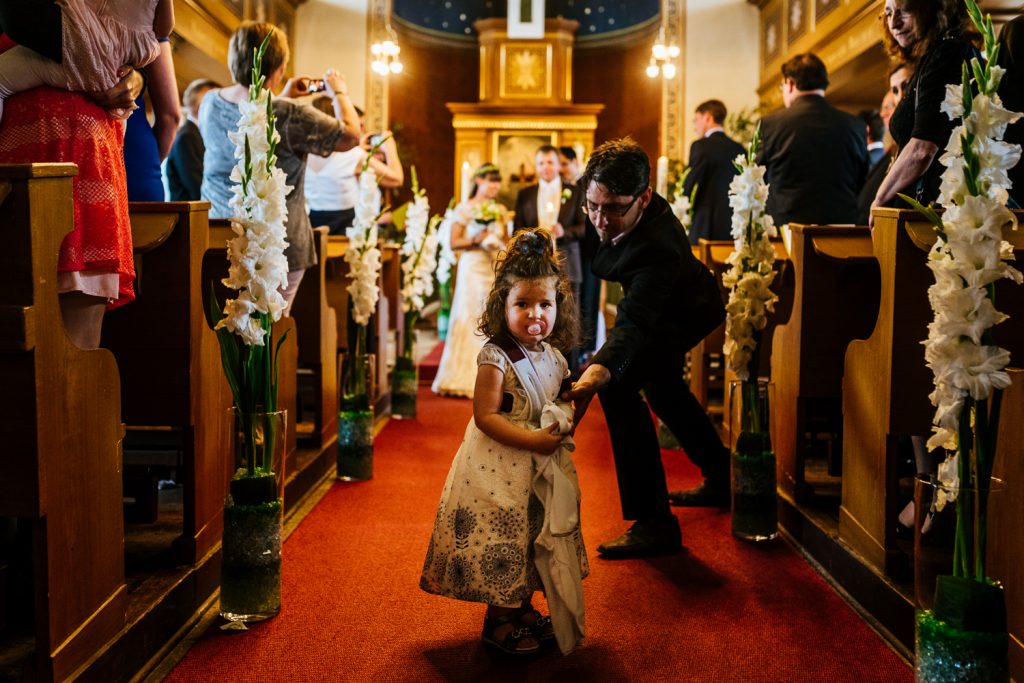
(712, 172)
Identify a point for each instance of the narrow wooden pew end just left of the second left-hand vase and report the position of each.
(319, 344)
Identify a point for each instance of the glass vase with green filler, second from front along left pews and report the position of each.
(356, 419)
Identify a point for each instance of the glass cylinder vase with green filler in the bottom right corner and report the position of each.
(961, 634)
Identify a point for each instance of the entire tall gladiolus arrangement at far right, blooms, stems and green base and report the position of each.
(969, 257)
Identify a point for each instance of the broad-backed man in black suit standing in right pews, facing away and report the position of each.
(816, 155)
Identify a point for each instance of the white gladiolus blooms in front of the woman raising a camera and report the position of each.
(258, 268)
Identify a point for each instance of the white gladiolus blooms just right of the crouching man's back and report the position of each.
(751, 274)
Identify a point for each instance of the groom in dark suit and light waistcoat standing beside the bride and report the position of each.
(557, 207)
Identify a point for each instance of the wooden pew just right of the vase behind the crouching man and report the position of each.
(836, 296)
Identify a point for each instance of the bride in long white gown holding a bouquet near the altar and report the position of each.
(479, 233)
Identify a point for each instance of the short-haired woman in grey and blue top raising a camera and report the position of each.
(304, 131)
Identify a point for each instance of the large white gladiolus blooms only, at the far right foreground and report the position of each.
(969, 257)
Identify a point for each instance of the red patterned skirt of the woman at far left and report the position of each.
(50, 125)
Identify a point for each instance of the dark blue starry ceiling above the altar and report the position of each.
(599, 19)
